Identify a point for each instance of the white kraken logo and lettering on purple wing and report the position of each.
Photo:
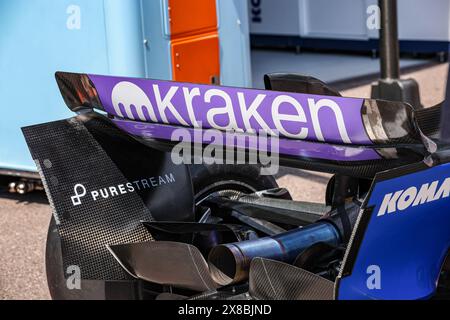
(220, 109)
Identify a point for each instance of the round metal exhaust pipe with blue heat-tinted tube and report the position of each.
(230, 263)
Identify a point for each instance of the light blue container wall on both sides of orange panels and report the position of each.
(117, 37)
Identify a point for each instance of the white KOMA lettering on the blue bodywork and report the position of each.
(403, 199)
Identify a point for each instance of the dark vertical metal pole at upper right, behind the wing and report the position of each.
(389, 49)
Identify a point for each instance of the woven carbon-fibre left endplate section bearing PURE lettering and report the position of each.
(66, 155)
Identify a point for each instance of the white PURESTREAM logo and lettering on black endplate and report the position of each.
(80, 190)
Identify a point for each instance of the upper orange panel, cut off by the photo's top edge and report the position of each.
(188, 17)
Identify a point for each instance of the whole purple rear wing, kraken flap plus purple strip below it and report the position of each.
(309, 126)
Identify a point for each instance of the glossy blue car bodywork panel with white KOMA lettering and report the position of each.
(402, 238)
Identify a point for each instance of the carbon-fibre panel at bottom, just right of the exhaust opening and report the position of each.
(274, 280)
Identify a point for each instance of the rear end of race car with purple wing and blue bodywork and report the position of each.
(132, 221)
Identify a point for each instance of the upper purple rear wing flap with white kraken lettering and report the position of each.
(324, 118)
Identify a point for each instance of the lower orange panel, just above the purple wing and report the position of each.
(196, 59)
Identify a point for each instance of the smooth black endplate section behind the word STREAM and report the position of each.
(168, 190)
